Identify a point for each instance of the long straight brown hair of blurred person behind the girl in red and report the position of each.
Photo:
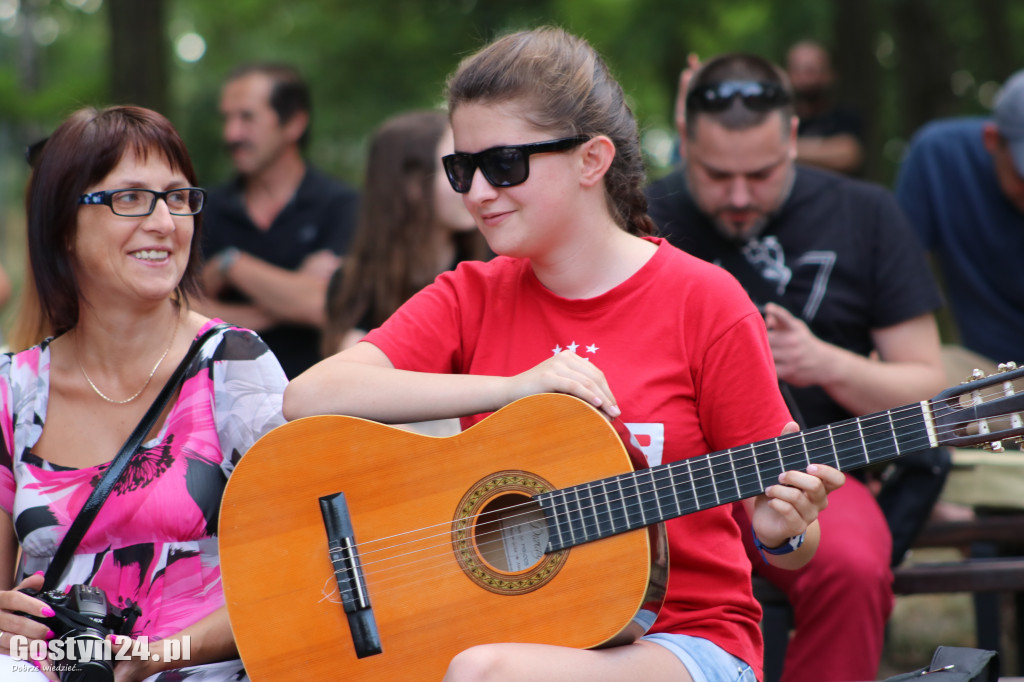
(396, 249)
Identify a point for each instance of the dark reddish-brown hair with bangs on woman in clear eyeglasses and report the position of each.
(80, 153)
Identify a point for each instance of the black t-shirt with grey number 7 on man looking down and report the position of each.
(839, 254)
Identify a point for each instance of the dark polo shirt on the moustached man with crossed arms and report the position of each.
(321, 216)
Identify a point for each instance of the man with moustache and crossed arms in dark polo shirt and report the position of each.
(274, 236)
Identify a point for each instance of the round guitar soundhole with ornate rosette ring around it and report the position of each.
(499, 535)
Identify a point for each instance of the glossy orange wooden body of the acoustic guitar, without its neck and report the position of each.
(437, 580)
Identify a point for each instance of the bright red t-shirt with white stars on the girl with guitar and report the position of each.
(687, 356)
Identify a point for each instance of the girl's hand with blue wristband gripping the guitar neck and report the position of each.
(792, 508)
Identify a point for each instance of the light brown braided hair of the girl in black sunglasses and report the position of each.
(569, 91)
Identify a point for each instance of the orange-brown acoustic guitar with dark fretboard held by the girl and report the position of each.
(356, 551)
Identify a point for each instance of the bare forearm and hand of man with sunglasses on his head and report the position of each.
(909, 366)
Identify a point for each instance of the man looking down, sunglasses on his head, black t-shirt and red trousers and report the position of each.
(848, 301)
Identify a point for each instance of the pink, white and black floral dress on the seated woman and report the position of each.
(155, 540)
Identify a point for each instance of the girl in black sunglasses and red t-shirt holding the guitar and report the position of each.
(583, 301)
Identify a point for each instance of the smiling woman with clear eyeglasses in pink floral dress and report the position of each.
(114, 231)
